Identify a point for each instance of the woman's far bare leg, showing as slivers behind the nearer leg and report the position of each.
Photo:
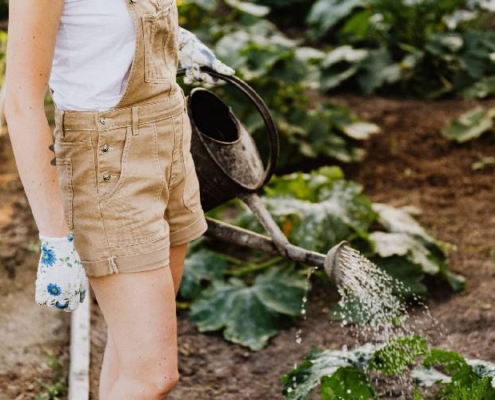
(110, 366)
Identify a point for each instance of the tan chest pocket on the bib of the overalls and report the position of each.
(160, 32)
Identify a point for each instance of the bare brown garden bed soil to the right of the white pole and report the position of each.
(409, 164)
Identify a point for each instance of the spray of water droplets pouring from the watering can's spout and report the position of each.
(372, 311)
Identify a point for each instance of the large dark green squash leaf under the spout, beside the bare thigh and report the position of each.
(250, 315)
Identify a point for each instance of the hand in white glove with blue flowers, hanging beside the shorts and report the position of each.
(61, 280)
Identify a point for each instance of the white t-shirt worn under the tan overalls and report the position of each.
(93, 55)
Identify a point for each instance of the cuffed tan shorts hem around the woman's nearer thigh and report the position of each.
(128, 264)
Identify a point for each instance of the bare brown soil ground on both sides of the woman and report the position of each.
(409, 164)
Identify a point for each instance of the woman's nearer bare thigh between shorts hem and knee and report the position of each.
(139, 309)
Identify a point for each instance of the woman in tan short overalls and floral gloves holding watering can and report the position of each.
(123, 201)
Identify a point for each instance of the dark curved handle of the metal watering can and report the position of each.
(250, 93)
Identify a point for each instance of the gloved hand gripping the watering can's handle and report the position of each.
(193, 54)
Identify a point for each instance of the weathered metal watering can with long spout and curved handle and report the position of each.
(229, 165)
